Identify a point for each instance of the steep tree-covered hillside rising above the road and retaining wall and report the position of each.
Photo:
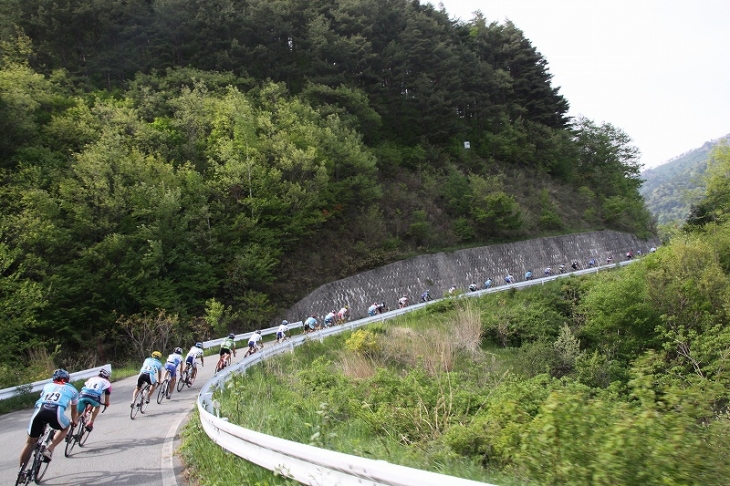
(174, 170)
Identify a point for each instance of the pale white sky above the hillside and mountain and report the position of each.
(657, 69)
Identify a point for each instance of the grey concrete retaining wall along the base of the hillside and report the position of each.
(438, 272)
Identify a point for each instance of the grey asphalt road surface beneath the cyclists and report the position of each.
(120, 450)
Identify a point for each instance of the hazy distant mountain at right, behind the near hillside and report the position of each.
(671, 188)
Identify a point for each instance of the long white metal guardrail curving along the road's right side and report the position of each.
(314, 466)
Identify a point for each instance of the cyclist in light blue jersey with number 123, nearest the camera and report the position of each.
(51, 409)
